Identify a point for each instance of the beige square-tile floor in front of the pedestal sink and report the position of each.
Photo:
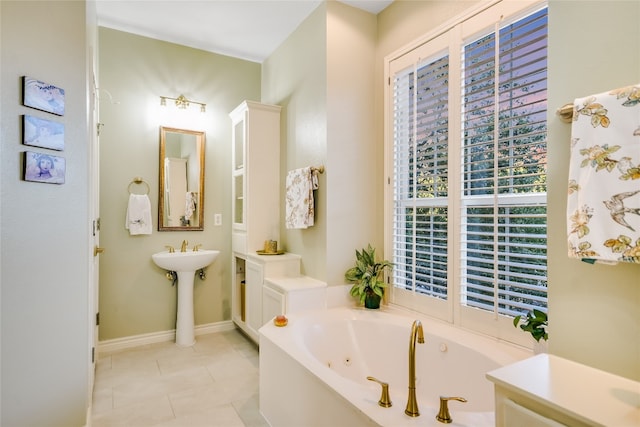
(212, 384)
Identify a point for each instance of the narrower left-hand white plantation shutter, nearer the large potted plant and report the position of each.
(420, 123)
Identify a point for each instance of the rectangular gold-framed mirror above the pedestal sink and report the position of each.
(181, 196)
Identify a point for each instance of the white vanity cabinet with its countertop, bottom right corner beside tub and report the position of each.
(550, 391)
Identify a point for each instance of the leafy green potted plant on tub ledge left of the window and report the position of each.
(366, 275)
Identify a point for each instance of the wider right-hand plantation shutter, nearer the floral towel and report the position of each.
(503, 210)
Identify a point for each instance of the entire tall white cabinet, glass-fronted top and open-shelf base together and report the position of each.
(255, 206)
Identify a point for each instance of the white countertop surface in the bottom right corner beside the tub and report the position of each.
(587, 394)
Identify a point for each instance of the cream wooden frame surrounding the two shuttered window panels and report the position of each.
(454, 34)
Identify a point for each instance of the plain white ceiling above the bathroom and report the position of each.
(247, 29)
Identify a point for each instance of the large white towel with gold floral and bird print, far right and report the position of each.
(603, 207)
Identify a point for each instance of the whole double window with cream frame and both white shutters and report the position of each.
(468, 187)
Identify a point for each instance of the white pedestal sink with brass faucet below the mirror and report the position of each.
(185, 265)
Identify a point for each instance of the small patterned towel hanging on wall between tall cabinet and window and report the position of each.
(299, 209)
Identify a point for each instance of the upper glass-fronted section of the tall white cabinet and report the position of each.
(255, 176)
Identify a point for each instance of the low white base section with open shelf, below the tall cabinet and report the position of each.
(247, 297)
